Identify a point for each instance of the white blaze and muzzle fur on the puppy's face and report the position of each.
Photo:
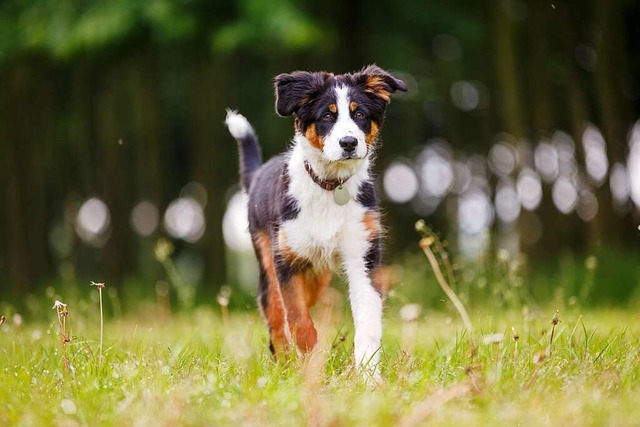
(344, 127)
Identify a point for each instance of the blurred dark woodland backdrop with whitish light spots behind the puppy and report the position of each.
(518, 140)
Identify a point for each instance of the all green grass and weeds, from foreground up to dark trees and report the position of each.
(507, 358)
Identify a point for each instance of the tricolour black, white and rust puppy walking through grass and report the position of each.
(313, 210)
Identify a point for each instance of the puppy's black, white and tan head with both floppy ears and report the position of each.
(340, 115)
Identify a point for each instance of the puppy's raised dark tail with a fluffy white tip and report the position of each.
(248, 148)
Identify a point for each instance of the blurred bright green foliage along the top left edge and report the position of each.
(66, 28)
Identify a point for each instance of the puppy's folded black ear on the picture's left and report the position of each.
(296, 89)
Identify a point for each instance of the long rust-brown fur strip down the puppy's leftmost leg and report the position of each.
(274, 312)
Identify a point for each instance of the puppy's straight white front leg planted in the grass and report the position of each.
(361, 259)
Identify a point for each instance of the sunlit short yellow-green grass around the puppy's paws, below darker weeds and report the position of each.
(194, 368)
